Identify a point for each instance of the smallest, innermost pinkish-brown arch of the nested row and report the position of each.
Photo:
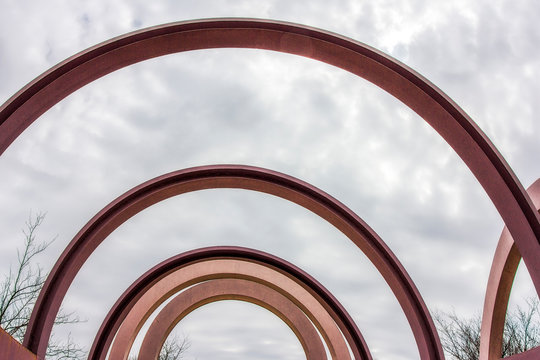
(231, 289)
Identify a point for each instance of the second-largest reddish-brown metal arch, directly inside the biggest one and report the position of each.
(230, 176)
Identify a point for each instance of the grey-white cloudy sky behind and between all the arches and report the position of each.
(283, 112)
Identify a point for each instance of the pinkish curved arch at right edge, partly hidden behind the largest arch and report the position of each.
(501, 277)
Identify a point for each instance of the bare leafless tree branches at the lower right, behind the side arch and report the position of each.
(460, 337)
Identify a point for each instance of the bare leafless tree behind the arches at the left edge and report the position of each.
(19, 291)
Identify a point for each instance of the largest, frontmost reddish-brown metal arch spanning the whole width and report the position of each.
(452, 123)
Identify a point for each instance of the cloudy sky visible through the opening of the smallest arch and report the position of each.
(231, 329)
